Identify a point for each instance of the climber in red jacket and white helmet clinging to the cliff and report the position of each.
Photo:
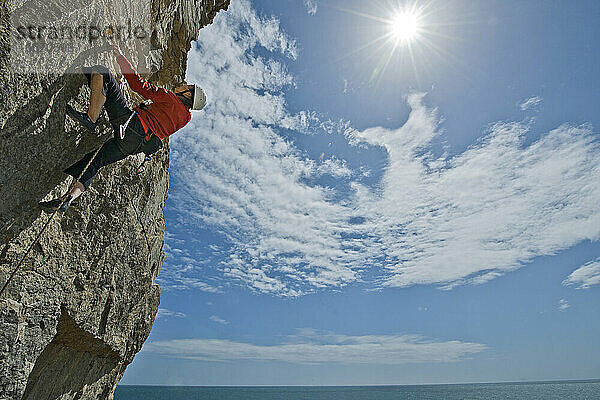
(140, 130)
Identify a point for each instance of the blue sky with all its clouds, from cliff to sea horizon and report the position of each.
(347, 212)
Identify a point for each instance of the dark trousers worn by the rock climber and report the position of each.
(115, 148)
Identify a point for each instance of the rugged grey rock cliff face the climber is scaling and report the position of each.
(83, 301)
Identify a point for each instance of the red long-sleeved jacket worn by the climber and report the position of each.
(167, 114)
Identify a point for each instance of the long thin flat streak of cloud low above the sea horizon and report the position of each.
(312, 347)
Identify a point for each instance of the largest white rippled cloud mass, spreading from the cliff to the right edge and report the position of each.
(451, 220)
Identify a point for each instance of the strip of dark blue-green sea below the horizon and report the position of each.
(559, 390)
